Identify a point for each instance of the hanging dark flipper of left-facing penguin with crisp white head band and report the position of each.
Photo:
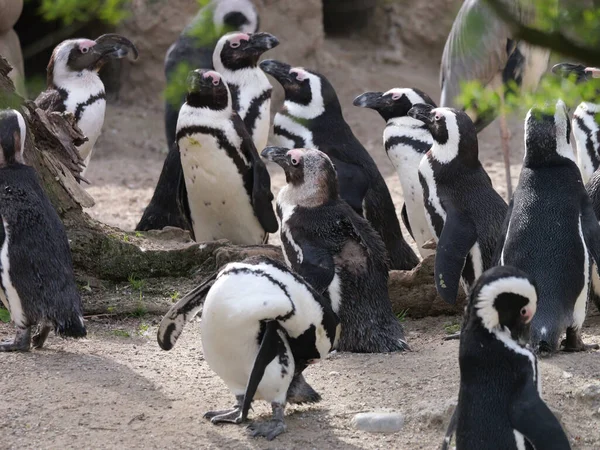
(458, 237)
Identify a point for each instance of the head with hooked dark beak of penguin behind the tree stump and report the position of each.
(73, 56)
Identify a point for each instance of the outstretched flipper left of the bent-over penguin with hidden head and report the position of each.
(182, 312)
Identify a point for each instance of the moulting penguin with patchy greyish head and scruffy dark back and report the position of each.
(336, 251)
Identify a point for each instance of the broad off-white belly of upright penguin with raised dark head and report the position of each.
(220, 206)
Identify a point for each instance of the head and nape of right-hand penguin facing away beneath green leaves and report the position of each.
(547, 135)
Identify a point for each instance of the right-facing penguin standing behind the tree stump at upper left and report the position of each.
(74, 86)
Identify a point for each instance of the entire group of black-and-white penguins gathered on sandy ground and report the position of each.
(528, 267)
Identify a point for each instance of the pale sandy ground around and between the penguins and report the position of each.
(117, 389)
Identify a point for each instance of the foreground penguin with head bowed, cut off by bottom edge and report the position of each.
(499, 402)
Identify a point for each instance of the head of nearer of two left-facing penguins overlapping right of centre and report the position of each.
(453, 133)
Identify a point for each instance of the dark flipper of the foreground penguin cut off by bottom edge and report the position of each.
(531, 417)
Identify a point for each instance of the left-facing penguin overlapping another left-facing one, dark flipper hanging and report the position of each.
(465, 213)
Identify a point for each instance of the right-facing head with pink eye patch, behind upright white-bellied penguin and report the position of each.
(237, 51)
